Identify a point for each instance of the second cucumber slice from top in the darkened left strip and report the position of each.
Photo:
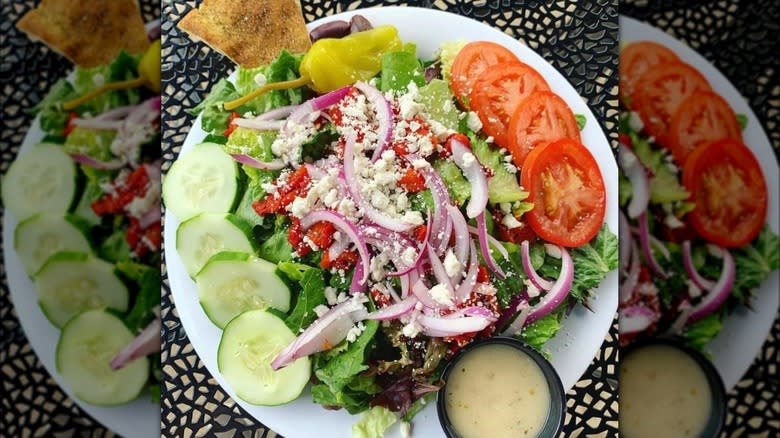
(37, 238)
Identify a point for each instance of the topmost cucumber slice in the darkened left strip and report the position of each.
(42, 180)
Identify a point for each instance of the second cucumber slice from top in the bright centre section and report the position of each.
(206, 234)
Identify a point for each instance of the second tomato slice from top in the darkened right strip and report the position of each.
(659, 93)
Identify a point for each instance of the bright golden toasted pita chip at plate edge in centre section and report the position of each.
(249, 32)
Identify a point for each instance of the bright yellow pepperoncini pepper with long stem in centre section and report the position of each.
(334, 63)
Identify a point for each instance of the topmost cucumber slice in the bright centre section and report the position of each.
(204, 180)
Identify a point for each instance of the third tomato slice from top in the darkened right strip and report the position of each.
(701, 118)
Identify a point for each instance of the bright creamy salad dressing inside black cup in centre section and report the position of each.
(497, 391)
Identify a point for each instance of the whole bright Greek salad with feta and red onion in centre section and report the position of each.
(356, 215)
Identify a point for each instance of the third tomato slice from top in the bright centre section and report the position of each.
(541, 118)
